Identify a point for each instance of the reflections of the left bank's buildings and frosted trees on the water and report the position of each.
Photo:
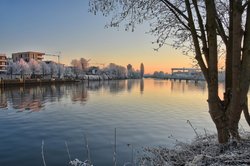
(34, 98)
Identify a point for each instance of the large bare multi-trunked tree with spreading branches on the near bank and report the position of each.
(204, 27)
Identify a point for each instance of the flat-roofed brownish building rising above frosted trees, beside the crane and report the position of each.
(38, 56)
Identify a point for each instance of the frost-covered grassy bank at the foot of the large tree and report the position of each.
(202, 151)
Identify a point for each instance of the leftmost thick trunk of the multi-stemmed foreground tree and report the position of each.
(216, 109)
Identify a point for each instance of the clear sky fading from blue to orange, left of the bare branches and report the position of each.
(66, 26)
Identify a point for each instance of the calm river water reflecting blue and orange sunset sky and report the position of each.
(144, 112)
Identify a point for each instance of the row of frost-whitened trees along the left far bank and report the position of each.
(78, 69)
